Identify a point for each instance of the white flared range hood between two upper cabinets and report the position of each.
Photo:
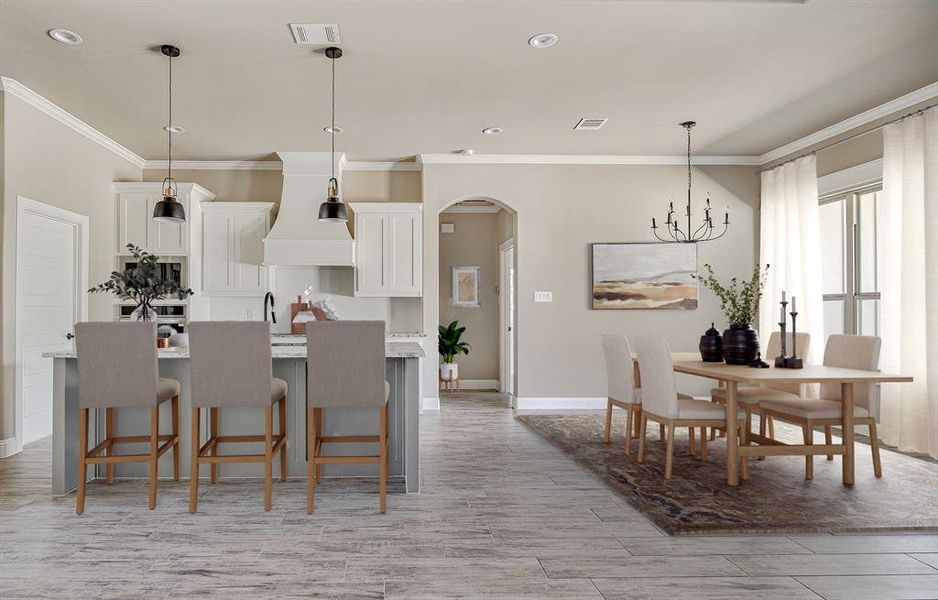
(297, 238)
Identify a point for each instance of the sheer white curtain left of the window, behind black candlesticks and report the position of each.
(791, 244)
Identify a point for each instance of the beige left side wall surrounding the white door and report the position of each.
(46, 161)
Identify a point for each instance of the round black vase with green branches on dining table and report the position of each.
(740, 303)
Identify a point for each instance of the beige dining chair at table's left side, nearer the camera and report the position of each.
(661, 402)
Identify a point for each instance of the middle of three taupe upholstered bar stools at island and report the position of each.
(230, 363)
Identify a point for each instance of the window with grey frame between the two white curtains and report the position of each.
(849, 261)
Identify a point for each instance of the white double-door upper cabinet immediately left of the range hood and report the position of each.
(233, 248)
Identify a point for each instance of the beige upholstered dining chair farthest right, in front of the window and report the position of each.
(846, 351)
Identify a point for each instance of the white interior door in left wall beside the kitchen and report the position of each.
(49, 304)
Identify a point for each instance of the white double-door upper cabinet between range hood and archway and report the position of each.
(388, 249)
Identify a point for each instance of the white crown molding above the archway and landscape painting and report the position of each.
(580, 159)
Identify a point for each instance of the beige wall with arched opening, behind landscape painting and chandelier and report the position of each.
(561, 209)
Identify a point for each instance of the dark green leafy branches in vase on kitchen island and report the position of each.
(142, 285)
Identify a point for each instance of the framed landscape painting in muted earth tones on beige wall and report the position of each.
(646, 275)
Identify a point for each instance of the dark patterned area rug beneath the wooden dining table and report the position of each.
(775, 498)
